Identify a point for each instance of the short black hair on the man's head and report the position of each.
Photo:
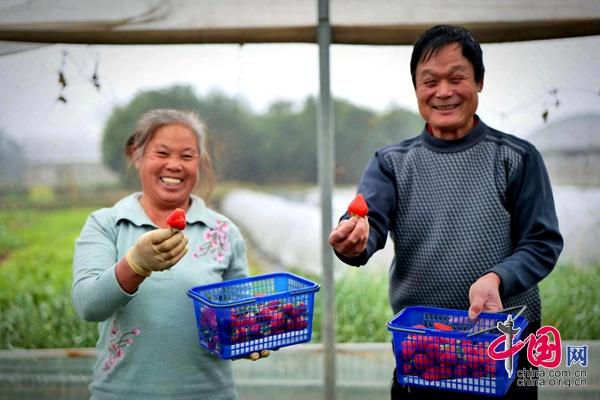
(439, 36)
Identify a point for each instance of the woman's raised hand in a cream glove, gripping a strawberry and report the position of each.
(156, 250)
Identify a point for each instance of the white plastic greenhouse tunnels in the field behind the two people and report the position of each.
(288, 230)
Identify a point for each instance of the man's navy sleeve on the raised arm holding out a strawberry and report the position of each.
(378, 189)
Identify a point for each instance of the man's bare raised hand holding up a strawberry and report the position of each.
(350, 237)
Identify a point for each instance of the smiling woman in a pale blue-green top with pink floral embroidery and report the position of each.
(131, 272)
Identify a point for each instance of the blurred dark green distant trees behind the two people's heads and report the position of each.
(276, 146)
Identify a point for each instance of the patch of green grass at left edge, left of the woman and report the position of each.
(35, 280)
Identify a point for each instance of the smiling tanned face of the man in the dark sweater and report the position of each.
(447, 92)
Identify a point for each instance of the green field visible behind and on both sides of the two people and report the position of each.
(36, 249)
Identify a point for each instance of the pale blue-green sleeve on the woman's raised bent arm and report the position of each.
(96, 293)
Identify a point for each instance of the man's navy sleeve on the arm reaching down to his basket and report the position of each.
(534, 227)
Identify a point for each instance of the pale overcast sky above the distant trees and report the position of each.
(517, 88)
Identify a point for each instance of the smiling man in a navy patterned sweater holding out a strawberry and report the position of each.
(469, 208)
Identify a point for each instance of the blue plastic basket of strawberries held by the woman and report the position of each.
(242, 316)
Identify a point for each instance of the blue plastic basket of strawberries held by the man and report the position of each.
(428, 356)
